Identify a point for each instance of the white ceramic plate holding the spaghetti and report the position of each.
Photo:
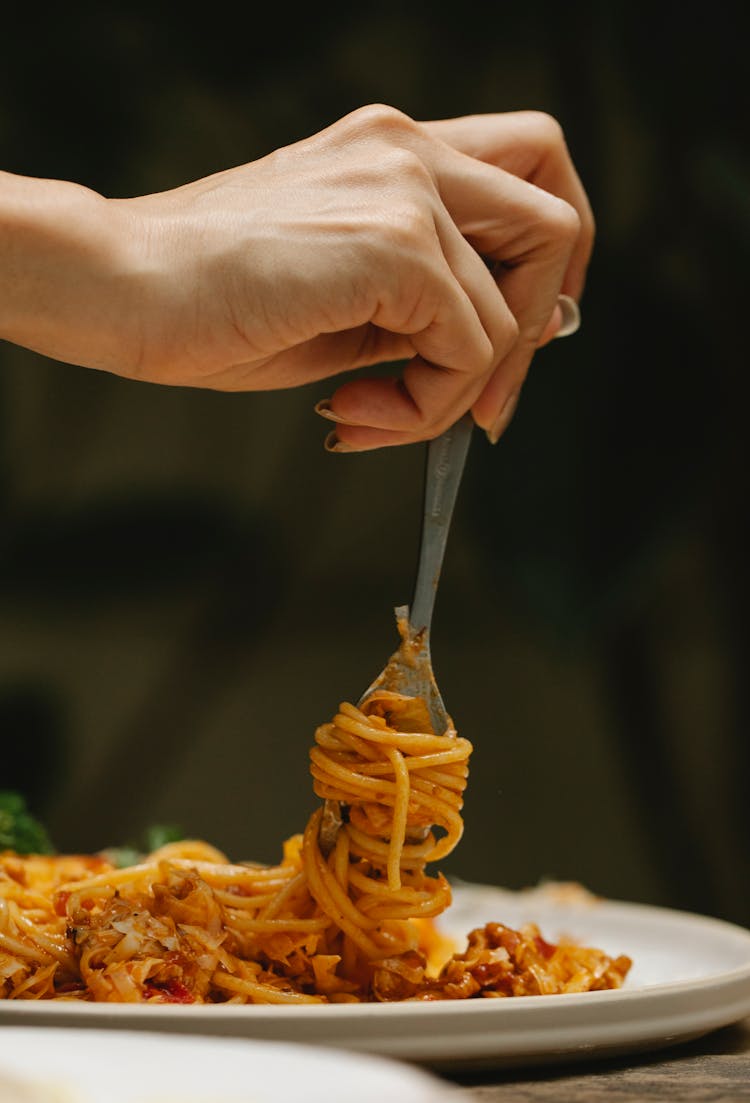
(691, 976)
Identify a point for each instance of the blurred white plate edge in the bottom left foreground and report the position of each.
(40, 1065)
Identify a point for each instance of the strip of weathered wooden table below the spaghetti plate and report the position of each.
(715, 1069)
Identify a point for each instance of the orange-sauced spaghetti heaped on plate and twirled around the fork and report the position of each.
(346, 917)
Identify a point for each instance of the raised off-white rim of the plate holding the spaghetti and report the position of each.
(518, 1031)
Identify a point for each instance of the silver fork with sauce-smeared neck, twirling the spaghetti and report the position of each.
(410, 669)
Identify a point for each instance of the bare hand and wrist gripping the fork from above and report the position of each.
(444, 244)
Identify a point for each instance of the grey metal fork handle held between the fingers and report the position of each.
(446, 458)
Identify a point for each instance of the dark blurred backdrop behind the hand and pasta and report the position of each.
(190, 585)
